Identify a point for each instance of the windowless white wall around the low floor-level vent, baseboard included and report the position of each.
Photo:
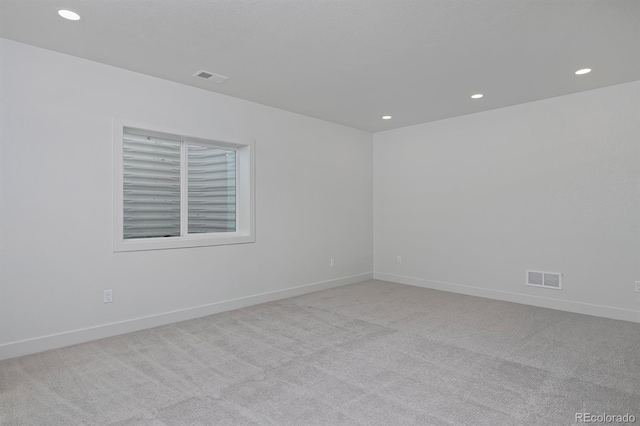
(471, 202)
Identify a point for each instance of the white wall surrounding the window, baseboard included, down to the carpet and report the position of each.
(314, 202)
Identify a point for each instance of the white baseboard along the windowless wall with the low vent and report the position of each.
(525, 299)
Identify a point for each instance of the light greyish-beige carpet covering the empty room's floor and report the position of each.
(373, 353)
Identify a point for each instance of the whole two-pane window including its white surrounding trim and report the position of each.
(175, 191)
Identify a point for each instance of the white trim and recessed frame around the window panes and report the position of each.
(245, 191)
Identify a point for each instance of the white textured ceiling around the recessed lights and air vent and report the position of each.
(352, 61)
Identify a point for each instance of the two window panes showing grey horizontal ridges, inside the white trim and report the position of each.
(159, 189)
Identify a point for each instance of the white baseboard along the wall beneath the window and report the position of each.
(67, 338)
